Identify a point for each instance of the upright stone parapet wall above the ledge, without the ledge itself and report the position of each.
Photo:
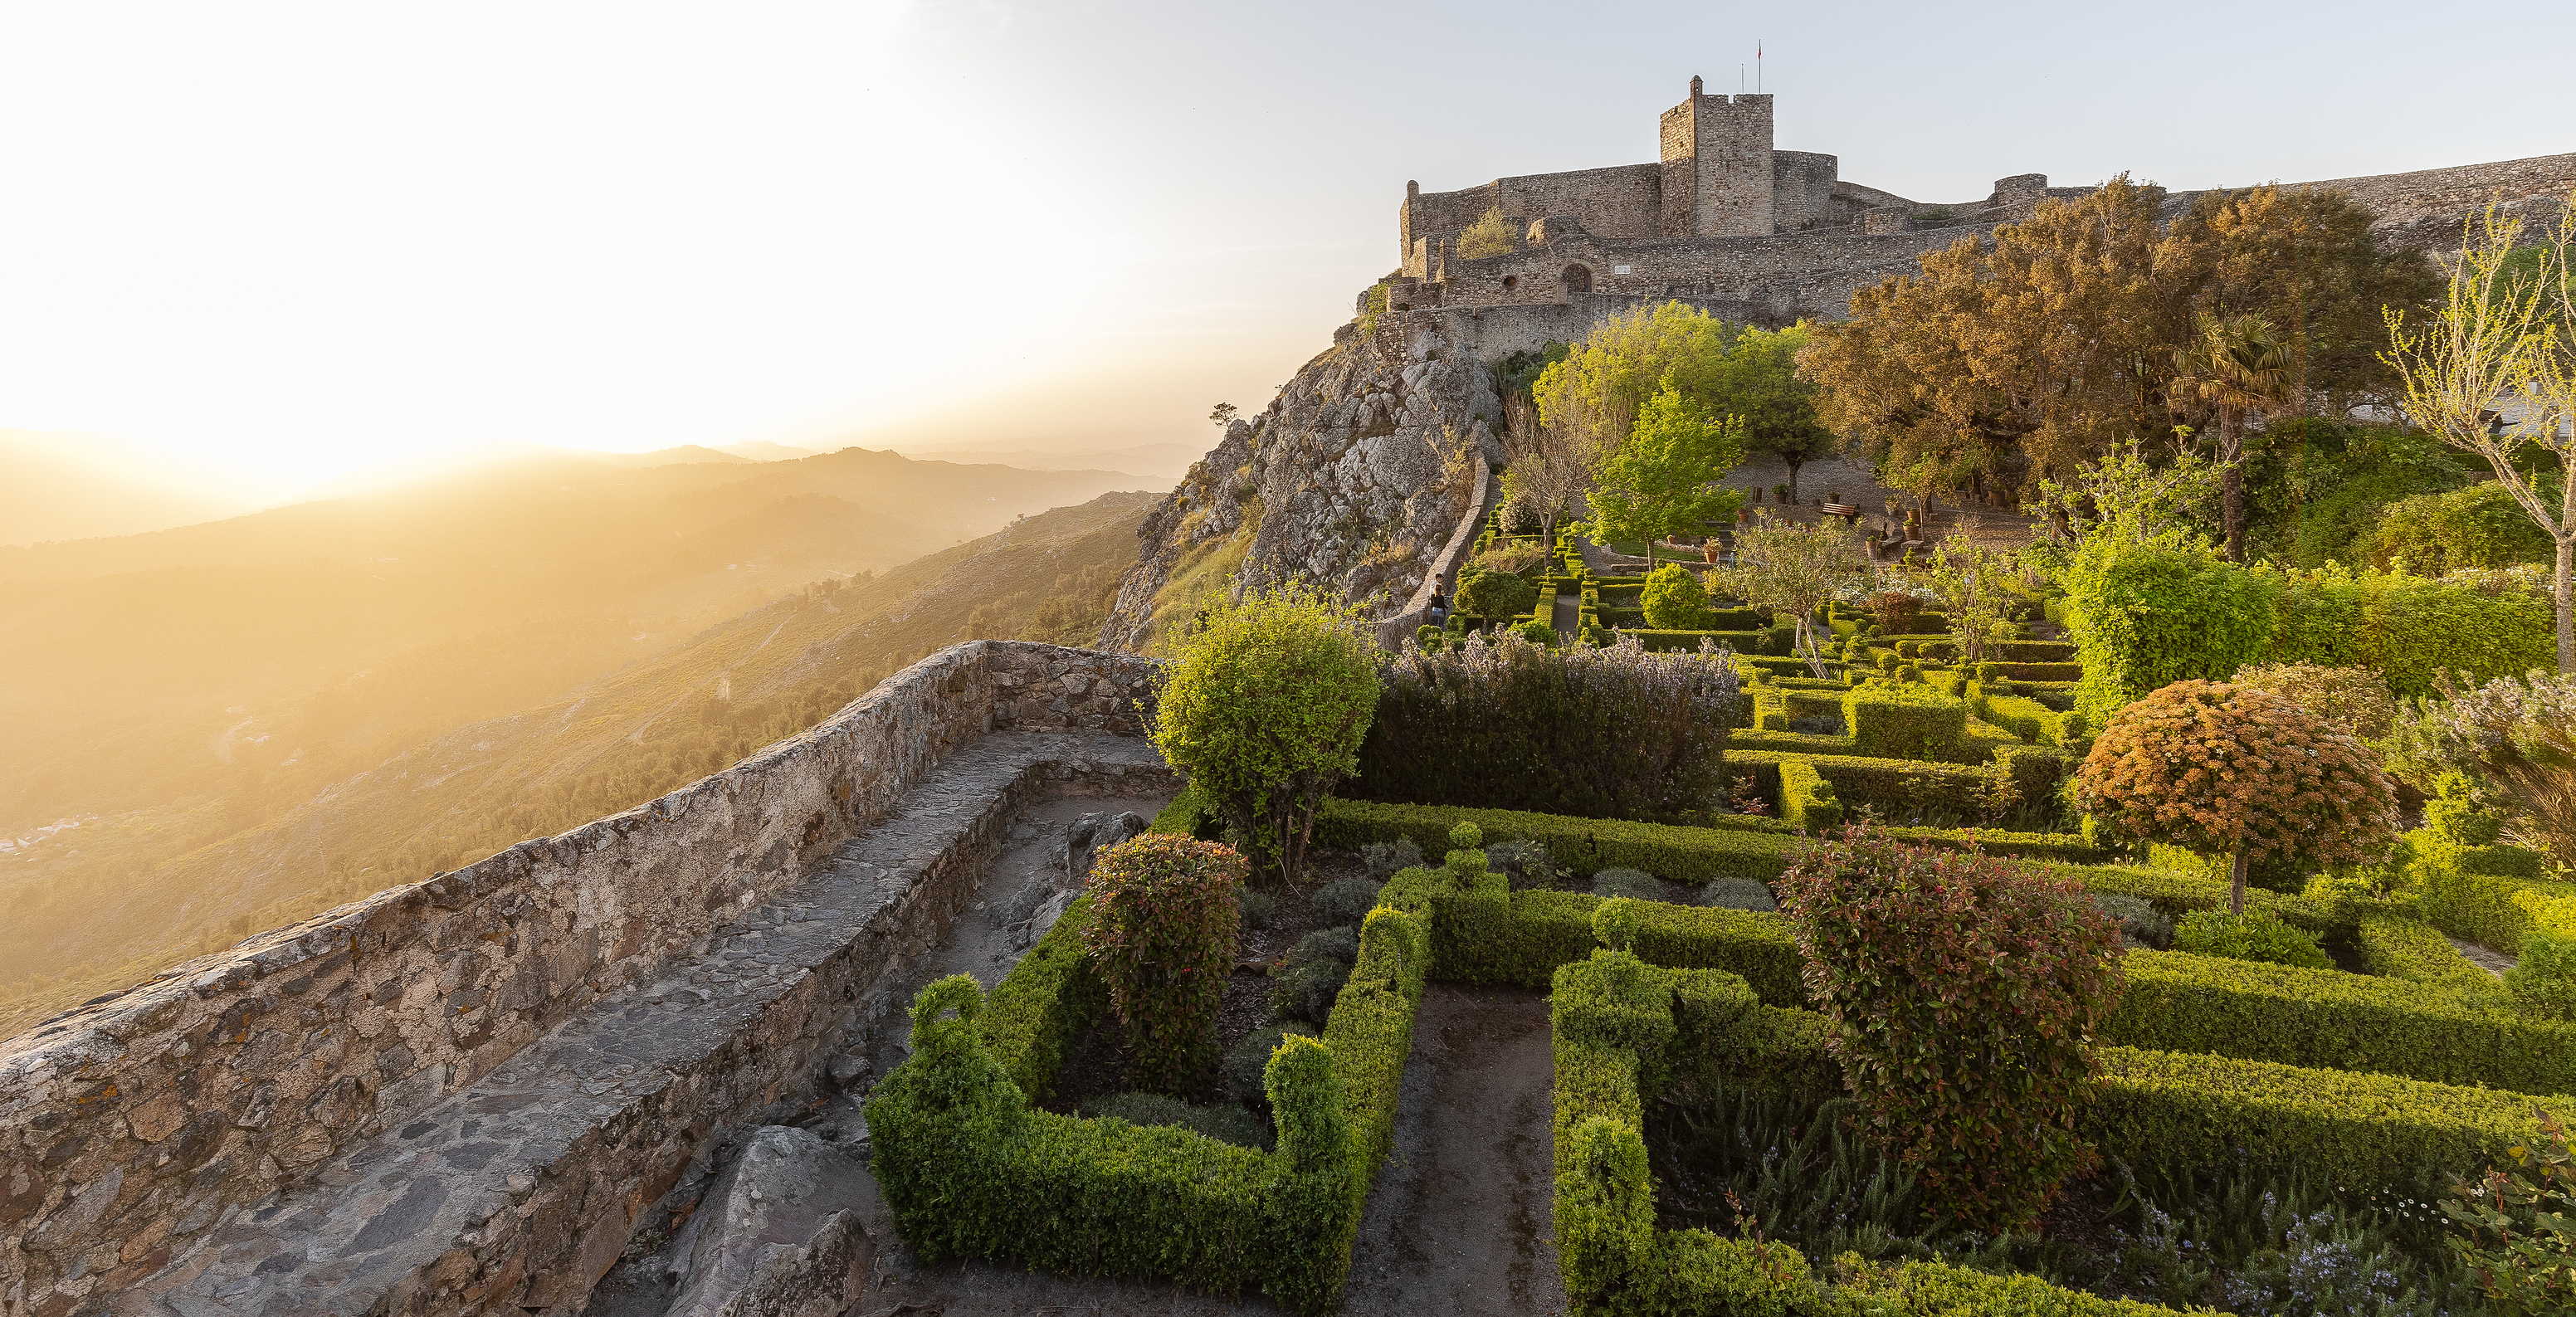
(133, 1125)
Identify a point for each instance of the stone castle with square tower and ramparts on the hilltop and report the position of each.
(1753, 233)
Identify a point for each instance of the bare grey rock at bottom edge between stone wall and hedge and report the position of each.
(777, 1233)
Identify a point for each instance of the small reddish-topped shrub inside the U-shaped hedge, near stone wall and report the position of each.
(1163, 939)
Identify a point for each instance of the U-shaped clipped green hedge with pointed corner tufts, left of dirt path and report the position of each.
(972, 1171)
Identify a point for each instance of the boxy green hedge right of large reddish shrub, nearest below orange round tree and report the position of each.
(2338, 1022)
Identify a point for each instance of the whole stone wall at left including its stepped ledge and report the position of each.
(460, 1097)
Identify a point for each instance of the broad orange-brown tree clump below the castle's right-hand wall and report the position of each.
(2052, 341)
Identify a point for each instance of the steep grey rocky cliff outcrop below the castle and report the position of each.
(1354, 478)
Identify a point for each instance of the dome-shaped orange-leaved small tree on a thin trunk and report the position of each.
(2237, 772)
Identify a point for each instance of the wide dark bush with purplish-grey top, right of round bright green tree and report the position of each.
(1598, 733)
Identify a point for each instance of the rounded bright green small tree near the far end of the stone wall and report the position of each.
(1264, 713)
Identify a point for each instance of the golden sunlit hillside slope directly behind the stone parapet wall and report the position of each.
(164, 880)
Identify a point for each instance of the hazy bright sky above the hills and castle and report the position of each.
(305, 238)
